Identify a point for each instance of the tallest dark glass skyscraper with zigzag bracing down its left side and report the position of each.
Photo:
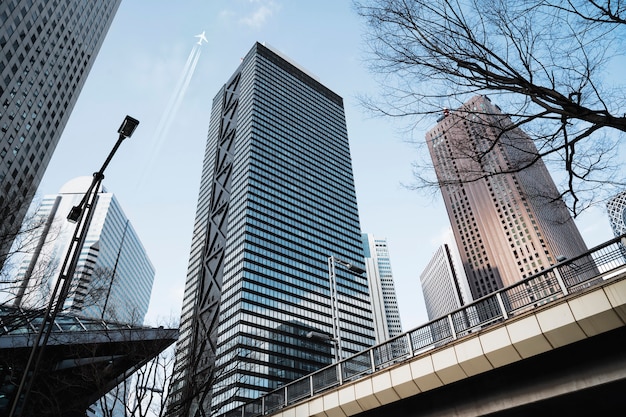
(277, 199)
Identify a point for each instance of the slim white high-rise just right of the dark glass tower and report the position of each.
(382, 289)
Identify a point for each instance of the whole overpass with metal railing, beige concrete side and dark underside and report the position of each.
(554, 340)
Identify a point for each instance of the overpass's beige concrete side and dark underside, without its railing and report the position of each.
(564, 358)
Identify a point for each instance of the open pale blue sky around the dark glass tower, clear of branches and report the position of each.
(137, 72)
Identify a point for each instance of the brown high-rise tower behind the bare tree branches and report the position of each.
(507, 226)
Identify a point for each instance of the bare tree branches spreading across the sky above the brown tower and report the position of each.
(546, 62)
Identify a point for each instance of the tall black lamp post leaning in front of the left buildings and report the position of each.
(81, 215)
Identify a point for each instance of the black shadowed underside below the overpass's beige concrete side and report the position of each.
(585, 378)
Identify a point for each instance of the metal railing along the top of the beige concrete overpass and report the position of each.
(570, 275)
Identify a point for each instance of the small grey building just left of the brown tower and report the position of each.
(443, 284)
